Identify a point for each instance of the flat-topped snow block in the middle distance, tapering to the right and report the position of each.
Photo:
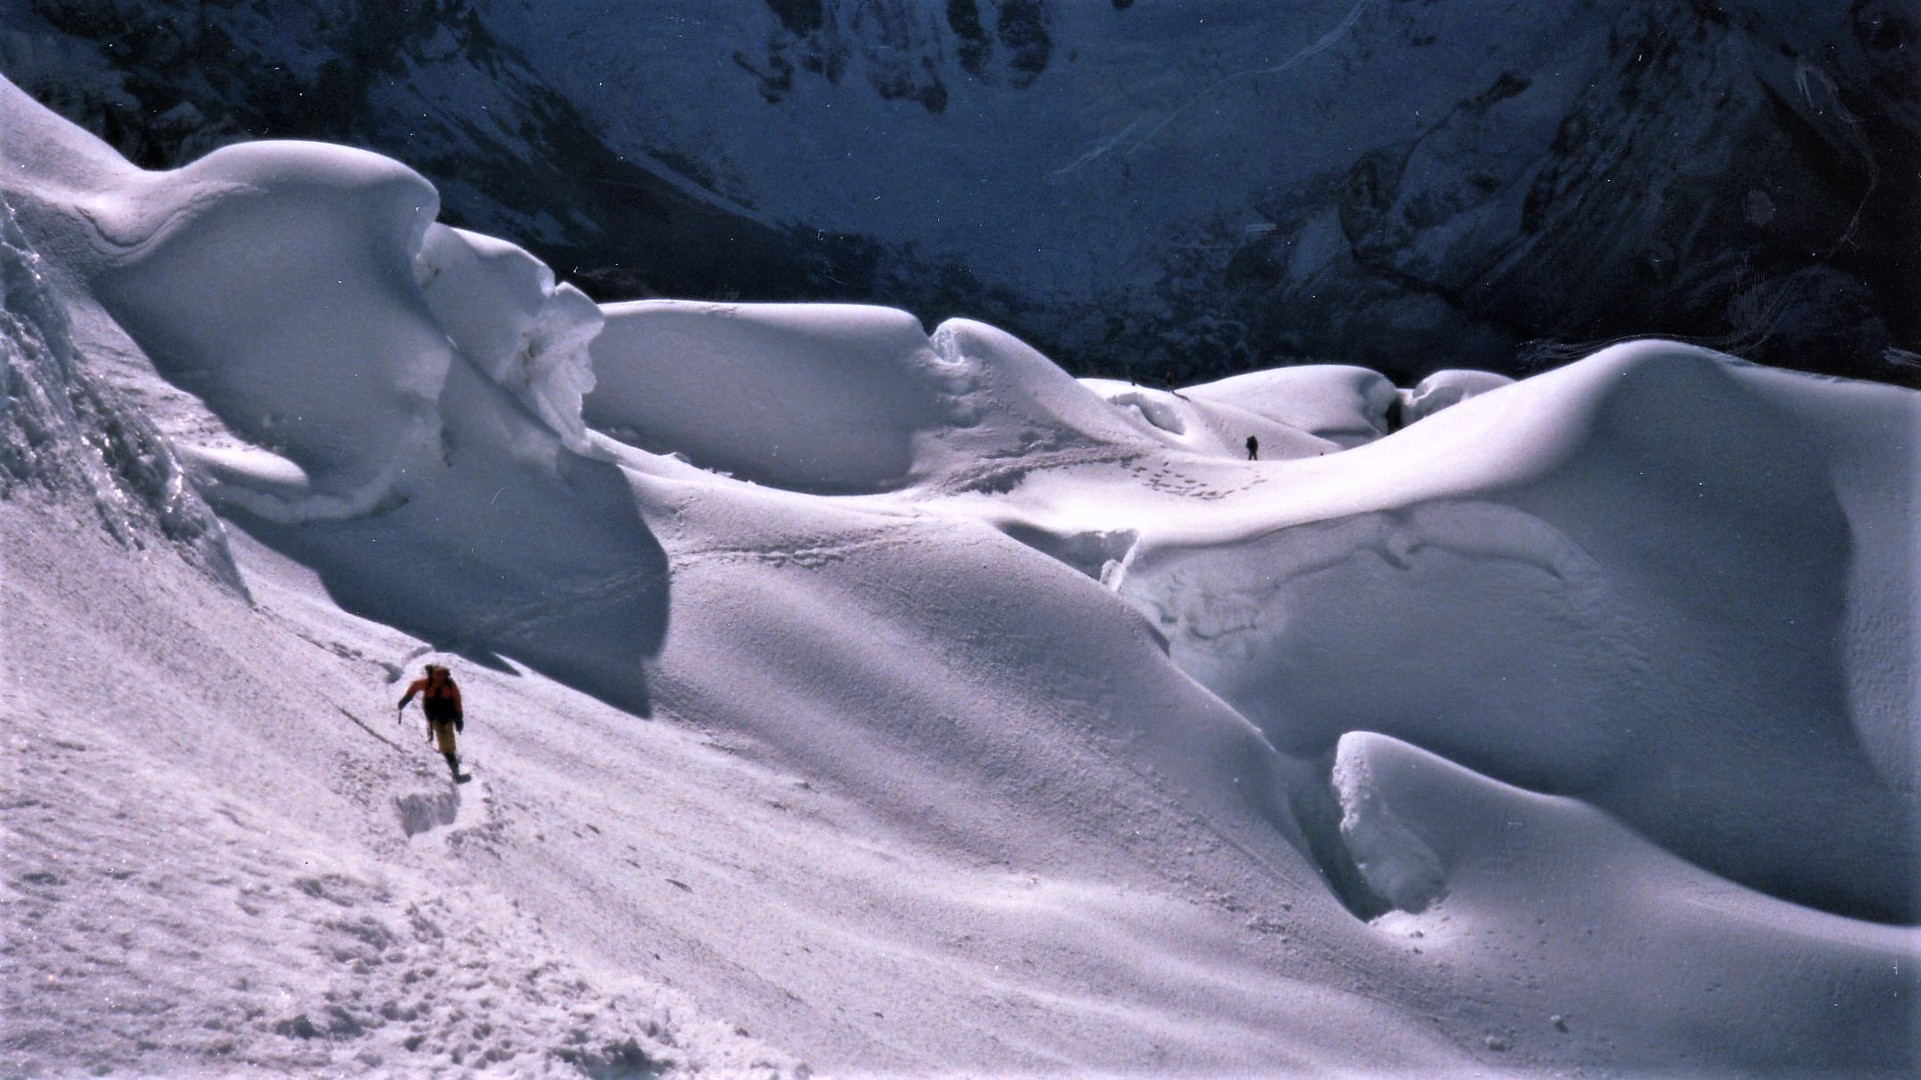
(839, 399)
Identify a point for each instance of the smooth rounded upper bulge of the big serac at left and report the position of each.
(276, 282)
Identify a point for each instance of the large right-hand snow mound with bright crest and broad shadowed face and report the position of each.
(1536, 583)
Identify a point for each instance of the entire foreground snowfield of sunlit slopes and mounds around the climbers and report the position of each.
(850, 699)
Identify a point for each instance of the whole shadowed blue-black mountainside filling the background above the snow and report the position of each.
(1205, 187)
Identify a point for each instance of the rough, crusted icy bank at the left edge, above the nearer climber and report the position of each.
(64, 433)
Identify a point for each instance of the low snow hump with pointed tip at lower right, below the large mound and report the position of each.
(1497, 883)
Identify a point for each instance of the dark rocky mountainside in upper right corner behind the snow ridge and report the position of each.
(1713, 184)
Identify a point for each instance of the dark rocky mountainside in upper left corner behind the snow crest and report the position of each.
(510, 155)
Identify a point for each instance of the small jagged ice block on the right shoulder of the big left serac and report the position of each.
(510, 318)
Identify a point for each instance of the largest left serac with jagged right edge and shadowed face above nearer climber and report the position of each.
(337, 420)
